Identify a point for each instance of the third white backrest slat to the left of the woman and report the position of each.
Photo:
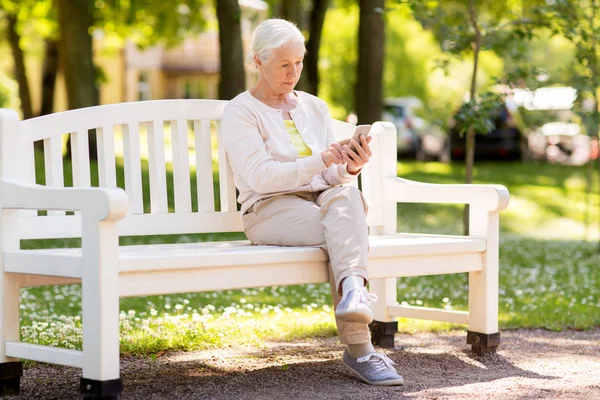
(181, 166)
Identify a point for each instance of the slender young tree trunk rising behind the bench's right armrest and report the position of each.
(470, 139)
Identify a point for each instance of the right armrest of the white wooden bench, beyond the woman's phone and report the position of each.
(489, 197)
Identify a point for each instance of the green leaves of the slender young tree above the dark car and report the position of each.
(467, 29)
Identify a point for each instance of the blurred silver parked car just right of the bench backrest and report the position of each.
(417, 138)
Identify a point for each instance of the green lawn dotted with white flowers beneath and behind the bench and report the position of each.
(548, 278)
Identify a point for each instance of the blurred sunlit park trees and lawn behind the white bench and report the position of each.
(64, 54)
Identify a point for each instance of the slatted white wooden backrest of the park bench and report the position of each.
(178, 136)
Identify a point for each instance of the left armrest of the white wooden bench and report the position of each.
(103, 204)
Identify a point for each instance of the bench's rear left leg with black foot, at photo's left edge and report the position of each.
(11, 369)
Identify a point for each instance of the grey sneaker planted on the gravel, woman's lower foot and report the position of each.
(374, 368)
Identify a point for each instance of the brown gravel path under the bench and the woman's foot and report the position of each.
(529, 365)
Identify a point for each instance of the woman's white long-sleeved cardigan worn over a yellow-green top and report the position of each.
(263, 159)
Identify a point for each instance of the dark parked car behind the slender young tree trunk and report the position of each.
(505, 141)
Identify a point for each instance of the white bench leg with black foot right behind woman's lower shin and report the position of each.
(383, 327)
